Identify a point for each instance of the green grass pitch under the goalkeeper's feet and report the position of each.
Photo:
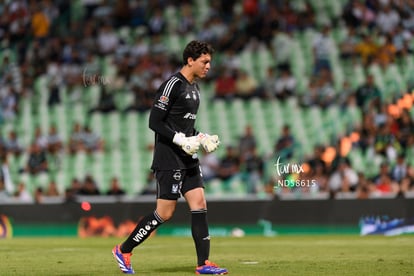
(252, 256)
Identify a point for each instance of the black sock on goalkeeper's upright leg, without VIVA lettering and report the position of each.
(199, 230)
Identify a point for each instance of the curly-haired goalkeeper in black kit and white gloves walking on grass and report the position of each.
(175, 163)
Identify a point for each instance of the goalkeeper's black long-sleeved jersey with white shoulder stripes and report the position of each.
(174, 110)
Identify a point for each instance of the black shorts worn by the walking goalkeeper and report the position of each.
(171, 184)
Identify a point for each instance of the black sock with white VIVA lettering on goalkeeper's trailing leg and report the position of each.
(141, 232)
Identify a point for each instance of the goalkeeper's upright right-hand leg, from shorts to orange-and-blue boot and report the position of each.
(193, 192)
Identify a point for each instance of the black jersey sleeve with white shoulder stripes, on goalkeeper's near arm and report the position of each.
(163, 101)
